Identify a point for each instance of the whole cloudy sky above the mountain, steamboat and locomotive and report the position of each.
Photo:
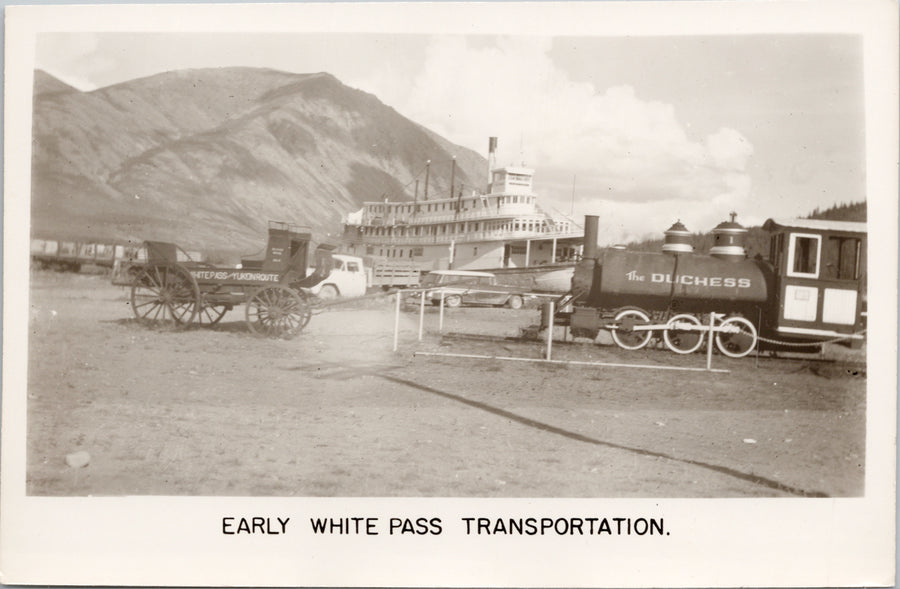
(641, 131)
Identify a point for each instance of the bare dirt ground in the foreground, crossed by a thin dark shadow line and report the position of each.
(336, 412)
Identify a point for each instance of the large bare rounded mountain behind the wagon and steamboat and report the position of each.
(205, 158)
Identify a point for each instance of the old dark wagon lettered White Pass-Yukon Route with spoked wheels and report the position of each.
(166, 291)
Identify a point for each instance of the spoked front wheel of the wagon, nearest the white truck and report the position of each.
(277, 311)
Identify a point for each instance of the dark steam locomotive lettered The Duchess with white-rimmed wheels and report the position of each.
(810, 289)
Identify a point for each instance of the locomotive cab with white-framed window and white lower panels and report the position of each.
(820, 278)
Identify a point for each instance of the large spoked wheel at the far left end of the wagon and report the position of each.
(165, 295)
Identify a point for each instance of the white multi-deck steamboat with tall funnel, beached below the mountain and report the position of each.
(502, 230)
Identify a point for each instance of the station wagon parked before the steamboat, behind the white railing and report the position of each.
(467, 287)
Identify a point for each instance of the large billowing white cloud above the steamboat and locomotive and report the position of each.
(626, 152)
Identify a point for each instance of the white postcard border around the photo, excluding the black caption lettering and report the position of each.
(712, 542)
